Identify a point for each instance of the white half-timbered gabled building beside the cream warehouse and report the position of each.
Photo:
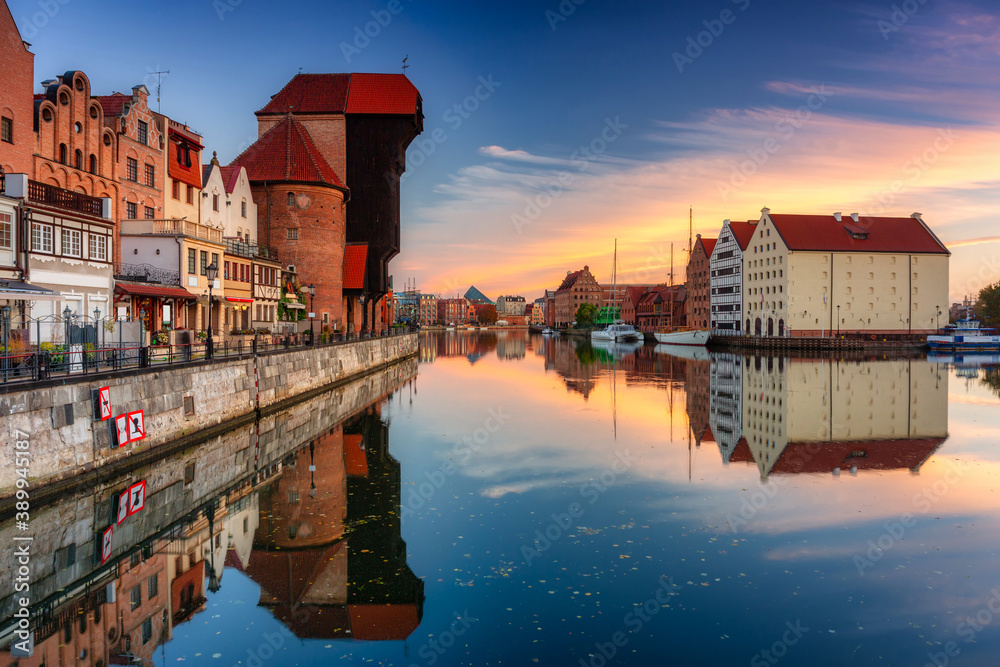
(726, 275)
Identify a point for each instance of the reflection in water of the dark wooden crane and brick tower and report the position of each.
(328, 554)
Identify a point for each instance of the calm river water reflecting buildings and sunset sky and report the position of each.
(523, 500)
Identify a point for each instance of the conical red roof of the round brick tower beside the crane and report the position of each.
(287, 153)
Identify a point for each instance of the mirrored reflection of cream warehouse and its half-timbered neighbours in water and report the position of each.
(791, 416)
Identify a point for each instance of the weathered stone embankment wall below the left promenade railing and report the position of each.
(55, 418)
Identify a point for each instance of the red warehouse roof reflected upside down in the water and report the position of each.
(823, 457)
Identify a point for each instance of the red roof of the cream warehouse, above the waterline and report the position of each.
(823, 232)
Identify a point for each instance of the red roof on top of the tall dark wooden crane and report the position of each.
(391, 94)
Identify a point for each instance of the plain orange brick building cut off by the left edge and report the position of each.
(17, 137)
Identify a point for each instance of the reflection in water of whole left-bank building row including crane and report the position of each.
(318, 529)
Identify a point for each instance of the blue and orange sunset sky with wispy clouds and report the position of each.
(553, 129)
